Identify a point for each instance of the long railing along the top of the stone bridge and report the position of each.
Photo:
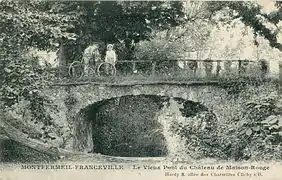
(180, 69)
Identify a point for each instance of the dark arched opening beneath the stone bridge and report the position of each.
(135, 126)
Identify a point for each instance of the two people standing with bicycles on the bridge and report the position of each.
(92, 56)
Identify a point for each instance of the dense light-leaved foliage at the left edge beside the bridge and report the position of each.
(24, 24)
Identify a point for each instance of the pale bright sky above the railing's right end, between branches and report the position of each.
(228, 43)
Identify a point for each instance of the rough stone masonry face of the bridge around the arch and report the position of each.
(72, 100)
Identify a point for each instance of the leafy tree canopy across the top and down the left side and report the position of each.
(47, 24)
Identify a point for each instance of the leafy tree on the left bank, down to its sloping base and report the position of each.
(24, 25)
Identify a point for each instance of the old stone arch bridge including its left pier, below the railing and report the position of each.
(74, 99)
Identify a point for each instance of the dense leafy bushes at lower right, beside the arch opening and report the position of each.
(252, 131)
